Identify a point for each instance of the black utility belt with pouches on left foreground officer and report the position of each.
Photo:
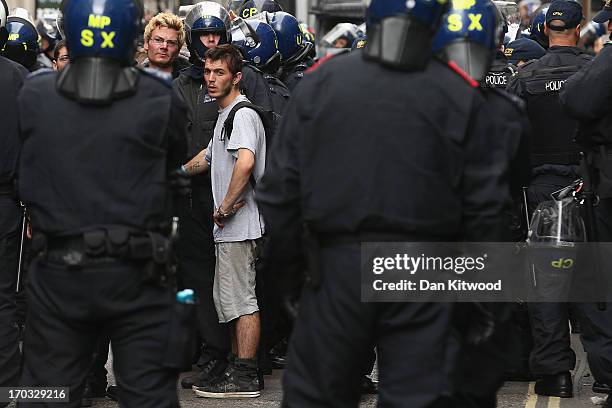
(103, 245)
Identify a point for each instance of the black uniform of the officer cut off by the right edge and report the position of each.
(586, 97)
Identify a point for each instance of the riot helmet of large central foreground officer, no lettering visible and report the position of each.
(400, 32)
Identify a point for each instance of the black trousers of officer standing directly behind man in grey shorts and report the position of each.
(197, 270)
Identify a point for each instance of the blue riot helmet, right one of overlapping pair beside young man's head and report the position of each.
(291, 42)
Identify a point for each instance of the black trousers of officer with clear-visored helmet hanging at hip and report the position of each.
(551, 352)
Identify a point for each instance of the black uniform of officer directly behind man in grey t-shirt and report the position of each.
(196, 245)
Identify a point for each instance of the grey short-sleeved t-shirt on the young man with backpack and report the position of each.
(248, 133)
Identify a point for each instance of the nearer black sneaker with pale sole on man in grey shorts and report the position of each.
(239, 380)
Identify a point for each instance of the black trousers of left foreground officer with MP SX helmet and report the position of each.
(70, 309)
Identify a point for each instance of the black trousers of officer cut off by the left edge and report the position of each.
(10, 357)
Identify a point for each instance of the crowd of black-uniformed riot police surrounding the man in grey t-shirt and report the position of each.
(462, 131)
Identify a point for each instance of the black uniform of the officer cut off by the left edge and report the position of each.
(11, 79)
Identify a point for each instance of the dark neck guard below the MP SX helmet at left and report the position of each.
(97, 81)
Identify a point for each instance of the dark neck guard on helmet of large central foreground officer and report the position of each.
(400, 42)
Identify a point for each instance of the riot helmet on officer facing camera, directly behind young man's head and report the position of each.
(204, 18)
